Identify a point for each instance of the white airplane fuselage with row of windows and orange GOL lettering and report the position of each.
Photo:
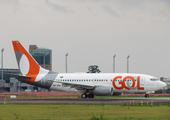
(121, 82)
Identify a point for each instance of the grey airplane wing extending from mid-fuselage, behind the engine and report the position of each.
(78, 86)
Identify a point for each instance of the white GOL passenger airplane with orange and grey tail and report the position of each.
(89, 84)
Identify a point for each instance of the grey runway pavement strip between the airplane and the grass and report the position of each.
(90, 100)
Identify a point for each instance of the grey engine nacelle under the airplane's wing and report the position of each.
(103, 90)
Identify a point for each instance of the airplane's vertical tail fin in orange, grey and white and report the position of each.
(27, 64)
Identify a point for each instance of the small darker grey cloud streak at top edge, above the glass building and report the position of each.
(57, 7)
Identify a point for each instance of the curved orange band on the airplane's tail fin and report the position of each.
(34, 67)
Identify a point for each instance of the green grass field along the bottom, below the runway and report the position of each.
(83, 112)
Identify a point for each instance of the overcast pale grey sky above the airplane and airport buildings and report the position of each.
(91, 32)
